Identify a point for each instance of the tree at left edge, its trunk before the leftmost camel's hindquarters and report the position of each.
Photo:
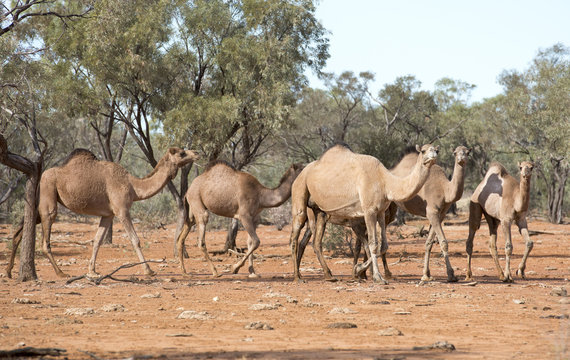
(25, 85)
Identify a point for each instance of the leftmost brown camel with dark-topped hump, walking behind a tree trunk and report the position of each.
(88, 186)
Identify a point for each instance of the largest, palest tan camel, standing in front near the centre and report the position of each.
(349, 187)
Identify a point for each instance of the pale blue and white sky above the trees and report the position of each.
(471, 41)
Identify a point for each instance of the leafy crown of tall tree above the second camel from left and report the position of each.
(240, 67)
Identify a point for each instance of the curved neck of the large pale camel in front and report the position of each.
(404, 188)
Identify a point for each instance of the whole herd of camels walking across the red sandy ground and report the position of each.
(320, 192)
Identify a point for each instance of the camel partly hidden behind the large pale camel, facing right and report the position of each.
(433, 201)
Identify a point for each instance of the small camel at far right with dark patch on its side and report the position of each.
(503, 201)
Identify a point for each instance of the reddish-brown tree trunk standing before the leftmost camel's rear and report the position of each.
(28, 246)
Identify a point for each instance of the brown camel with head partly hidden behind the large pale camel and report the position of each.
(227, 192)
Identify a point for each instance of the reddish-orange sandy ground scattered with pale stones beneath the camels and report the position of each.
(114, 320)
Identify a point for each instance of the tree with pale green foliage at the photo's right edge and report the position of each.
(534, 120)
